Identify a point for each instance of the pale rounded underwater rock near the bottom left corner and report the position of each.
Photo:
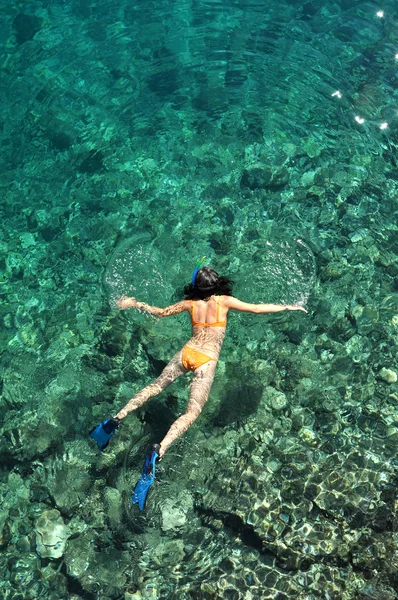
(51, 534)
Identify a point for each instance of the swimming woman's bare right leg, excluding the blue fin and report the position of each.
(199, 393)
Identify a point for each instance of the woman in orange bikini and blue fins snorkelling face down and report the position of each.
(208, 299)
